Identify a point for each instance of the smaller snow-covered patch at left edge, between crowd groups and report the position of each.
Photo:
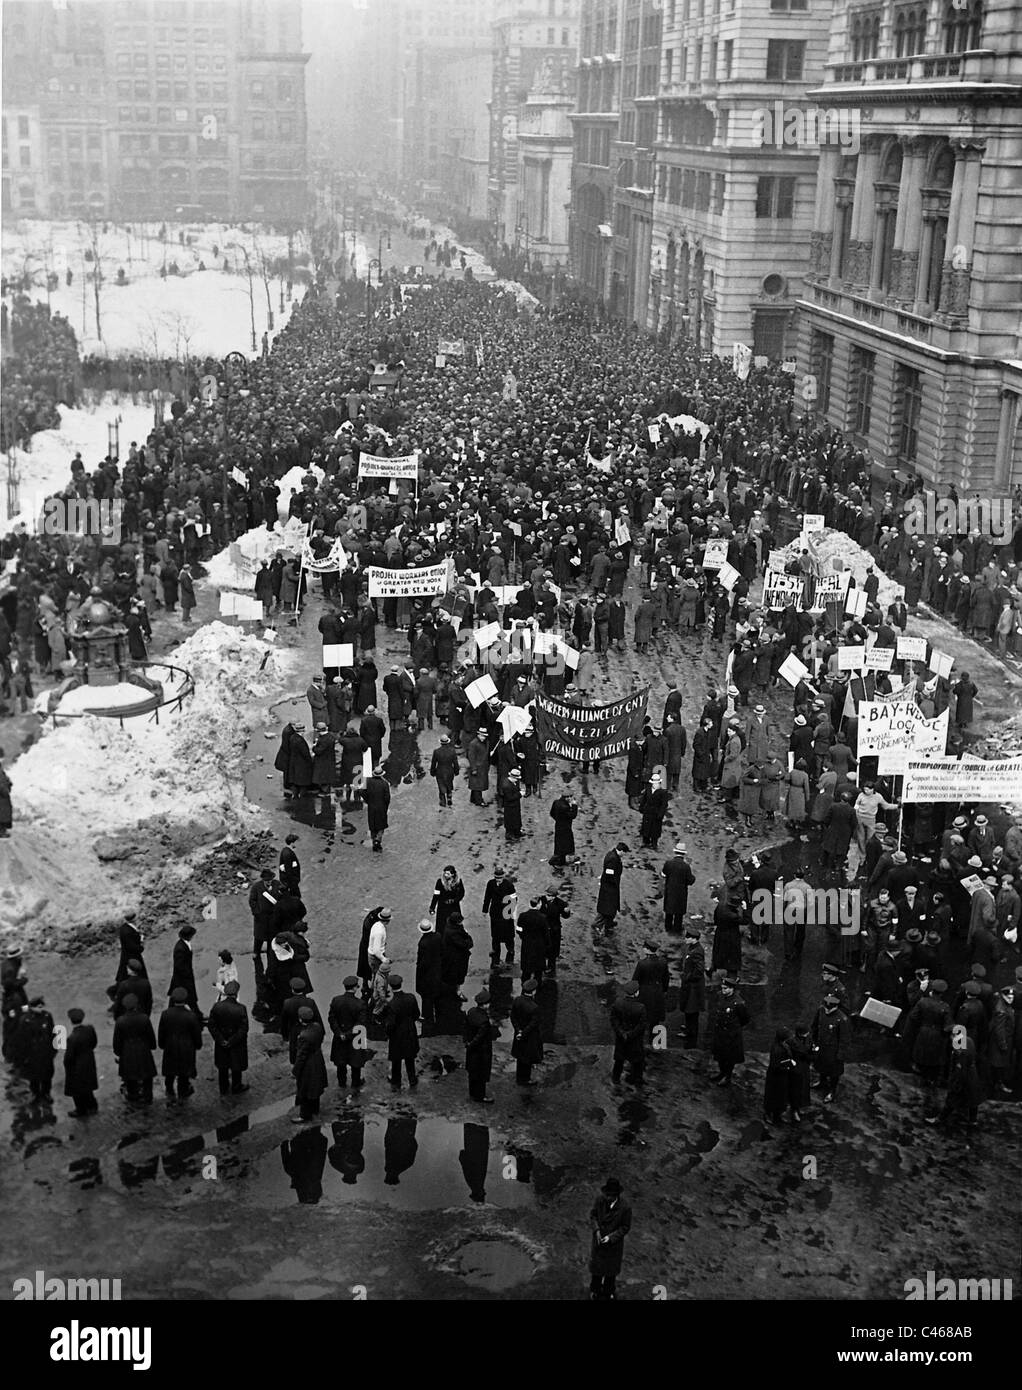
(48, 468)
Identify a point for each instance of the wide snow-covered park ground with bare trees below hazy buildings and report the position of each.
(195, 313)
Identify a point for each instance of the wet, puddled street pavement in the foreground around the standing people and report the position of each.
(425, 1195)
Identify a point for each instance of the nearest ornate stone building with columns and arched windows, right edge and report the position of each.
(911, 322)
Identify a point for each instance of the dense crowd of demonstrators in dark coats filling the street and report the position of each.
(561, 515)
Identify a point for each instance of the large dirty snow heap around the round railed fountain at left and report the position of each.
(91, 787)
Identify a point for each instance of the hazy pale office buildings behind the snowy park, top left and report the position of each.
(147, 106)
